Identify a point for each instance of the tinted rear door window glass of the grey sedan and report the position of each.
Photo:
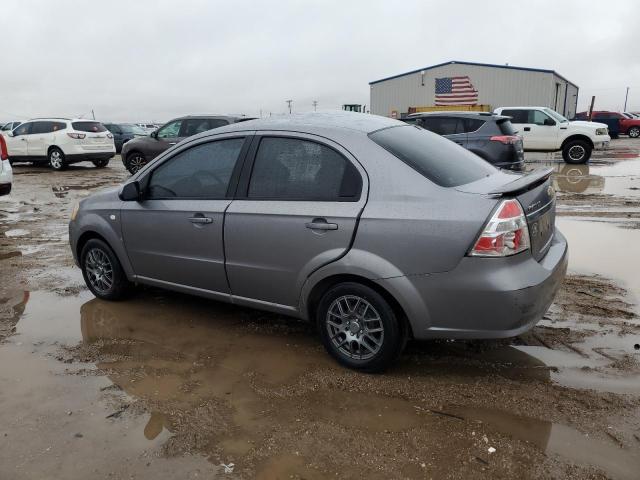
(296, 169)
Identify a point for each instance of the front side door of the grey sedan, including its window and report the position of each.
(173, 235)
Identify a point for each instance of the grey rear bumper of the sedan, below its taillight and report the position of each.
(482, 297)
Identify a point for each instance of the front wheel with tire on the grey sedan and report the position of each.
(97, 252)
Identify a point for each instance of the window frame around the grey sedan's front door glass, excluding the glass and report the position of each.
(233, 180)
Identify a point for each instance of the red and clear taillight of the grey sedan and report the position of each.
(506, 233)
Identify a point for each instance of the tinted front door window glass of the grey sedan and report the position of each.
(202, 171)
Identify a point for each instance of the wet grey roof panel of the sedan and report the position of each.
(311, 122)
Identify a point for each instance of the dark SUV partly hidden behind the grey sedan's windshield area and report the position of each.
(138, 152)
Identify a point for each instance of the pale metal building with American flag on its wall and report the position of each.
(465, 83)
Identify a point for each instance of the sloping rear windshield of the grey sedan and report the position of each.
(440, 160)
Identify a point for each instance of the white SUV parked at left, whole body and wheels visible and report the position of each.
(61, 142)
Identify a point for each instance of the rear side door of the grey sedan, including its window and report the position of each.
(295, 211)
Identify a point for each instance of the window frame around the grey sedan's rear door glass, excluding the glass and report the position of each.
(242, 190)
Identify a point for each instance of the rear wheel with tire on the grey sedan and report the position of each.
(354, 340)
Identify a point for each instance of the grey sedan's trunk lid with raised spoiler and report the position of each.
(536, 195)
